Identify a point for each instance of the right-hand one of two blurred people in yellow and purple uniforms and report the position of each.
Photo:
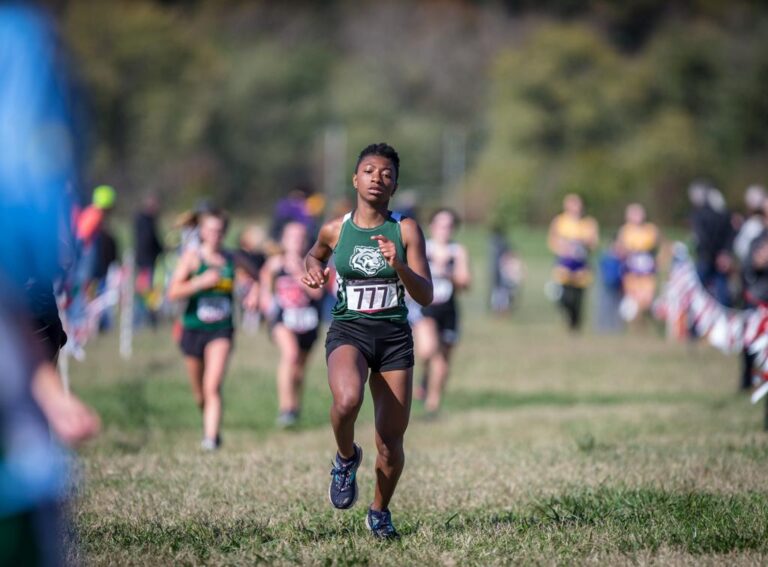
(638, 241)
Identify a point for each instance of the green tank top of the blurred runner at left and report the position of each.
(211, 309)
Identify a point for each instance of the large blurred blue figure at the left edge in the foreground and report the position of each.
(38, 171)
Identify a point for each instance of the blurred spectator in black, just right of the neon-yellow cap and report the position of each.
(149, 247)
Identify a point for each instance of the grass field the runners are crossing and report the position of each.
(550, 449)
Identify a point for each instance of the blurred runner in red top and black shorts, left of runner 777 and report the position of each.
(293, 312)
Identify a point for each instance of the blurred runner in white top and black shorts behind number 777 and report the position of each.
(437, 330)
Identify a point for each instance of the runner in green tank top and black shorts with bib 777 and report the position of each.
(378, 257)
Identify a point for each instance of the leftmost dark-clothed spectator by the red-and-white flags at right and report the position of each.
(713, 239)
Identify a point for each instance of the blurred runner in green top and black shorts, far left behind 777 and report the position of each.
(205, 278)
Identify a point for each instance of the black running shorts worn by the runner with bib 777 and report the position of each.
(386, 345)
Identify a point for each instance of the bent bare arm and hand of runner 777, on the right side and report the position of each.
(414, 272)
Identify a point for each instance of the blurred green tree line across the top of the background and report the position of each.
(618, 101)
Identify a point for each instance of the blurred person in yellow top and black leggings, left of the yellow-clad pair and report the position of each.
(572, 237)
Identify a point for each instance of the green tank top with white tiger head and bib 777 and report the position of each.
(368, 286)
